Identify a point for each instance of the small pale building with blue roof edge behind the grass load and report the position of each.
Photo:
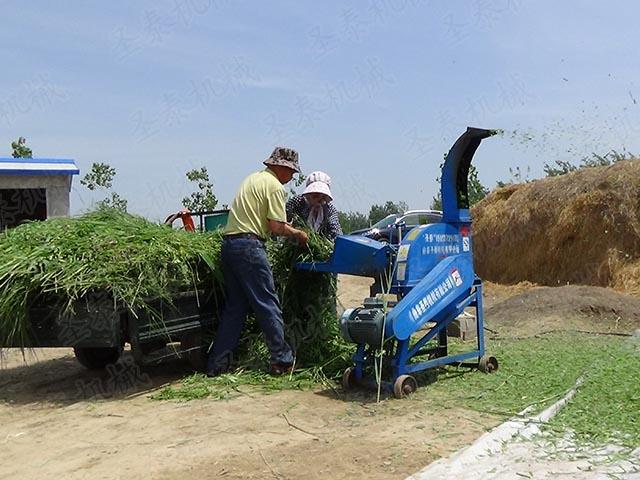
(34, 189)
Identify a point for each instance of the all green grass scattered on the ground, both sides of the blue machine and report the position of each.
(534, 373)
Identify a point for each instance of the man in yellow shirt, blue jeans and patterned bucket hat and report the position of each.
(257, 211)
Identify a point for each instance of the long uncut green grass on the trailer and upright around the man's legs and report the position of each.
(60, 261)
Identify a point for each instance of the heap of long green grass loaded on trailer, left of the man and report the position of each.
(58, 261)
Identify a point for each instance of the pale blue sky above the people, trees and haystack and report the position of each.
(373, 92)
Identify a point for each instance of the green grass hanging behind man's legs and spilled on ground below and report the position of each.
(308, 301)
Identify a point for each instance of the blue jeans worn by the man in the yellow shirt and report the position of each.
(249, 288)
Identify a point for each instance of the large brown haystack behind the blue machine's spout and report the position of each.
(578, 228)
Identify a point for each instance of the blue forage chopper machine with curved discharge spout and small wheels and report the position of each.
(430, 274)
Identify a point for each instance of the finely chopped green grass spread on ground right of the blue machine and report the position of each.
(537, 372)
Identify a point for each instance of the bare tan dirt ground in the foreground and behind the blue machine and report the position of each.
(58, 420)
